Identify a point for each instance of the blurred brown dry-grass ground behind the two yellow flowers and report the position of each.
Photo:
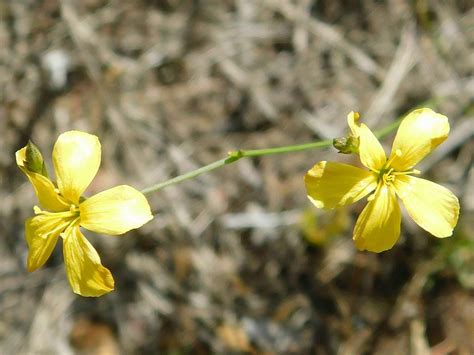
(238, 260)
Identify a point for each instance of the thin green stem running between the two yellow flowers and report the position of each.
(252, 153)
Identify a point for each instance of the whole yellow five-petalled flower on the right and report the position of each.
(433, 207)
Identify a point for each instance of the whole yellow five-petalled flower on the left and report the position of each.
(76, 158)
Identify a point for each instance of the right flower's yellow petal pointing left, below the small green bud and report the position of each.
(331, 184)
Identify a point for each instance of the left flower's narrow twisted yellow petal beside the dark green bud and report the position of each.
(44, 188)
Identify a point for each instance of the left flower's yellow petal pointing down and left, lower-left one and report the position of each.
(42, 234)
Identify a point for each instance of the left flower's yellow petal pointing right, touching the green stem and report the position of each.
(115, 211)
